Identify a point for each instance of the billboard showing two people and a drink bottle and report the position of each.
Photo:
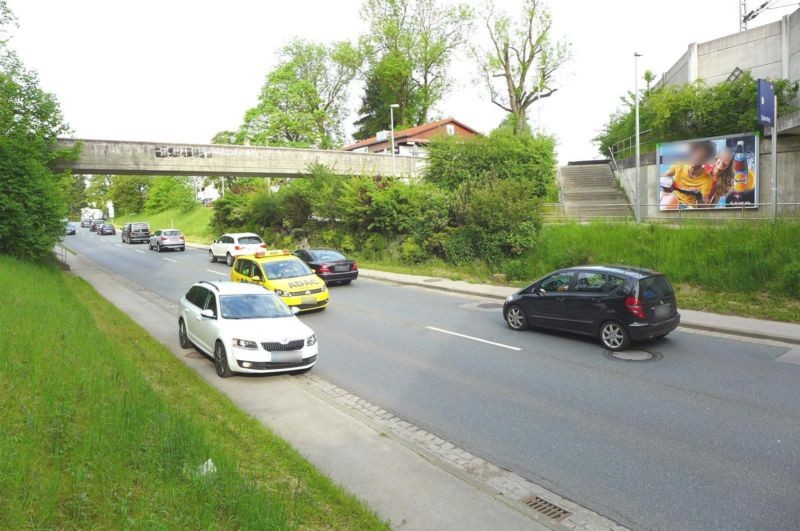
(708, 173)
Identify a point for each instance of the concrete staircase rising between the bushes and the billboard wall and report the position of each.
(590, 191)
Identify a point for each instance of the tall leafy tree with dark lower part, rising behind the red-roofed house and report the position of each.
(409, 48)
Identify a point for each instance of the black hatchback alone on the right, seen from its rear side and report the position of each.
(616, 304)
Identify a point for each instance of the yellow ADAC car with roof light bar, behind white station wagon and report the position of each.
(285, 275)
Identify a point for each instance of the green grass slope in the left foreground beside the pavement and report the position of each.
(102, 427)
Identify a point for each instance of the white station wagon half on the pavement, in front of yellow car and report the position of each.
(245, 329)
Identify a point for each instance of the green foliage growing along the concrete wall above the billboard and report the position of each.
(693, 110)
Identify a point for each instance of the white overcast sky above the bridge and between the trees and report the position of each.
(182, 70)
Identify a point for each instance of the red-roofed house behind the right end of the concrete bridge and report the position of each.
(411, 142)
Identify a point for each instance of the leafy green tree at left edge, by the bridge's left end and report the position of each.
(33, 199)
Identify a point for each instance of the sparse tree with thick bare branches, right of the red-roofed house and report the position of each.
(520, 65)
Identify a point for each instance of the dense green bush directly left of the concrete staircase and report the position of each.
(503, 154)
